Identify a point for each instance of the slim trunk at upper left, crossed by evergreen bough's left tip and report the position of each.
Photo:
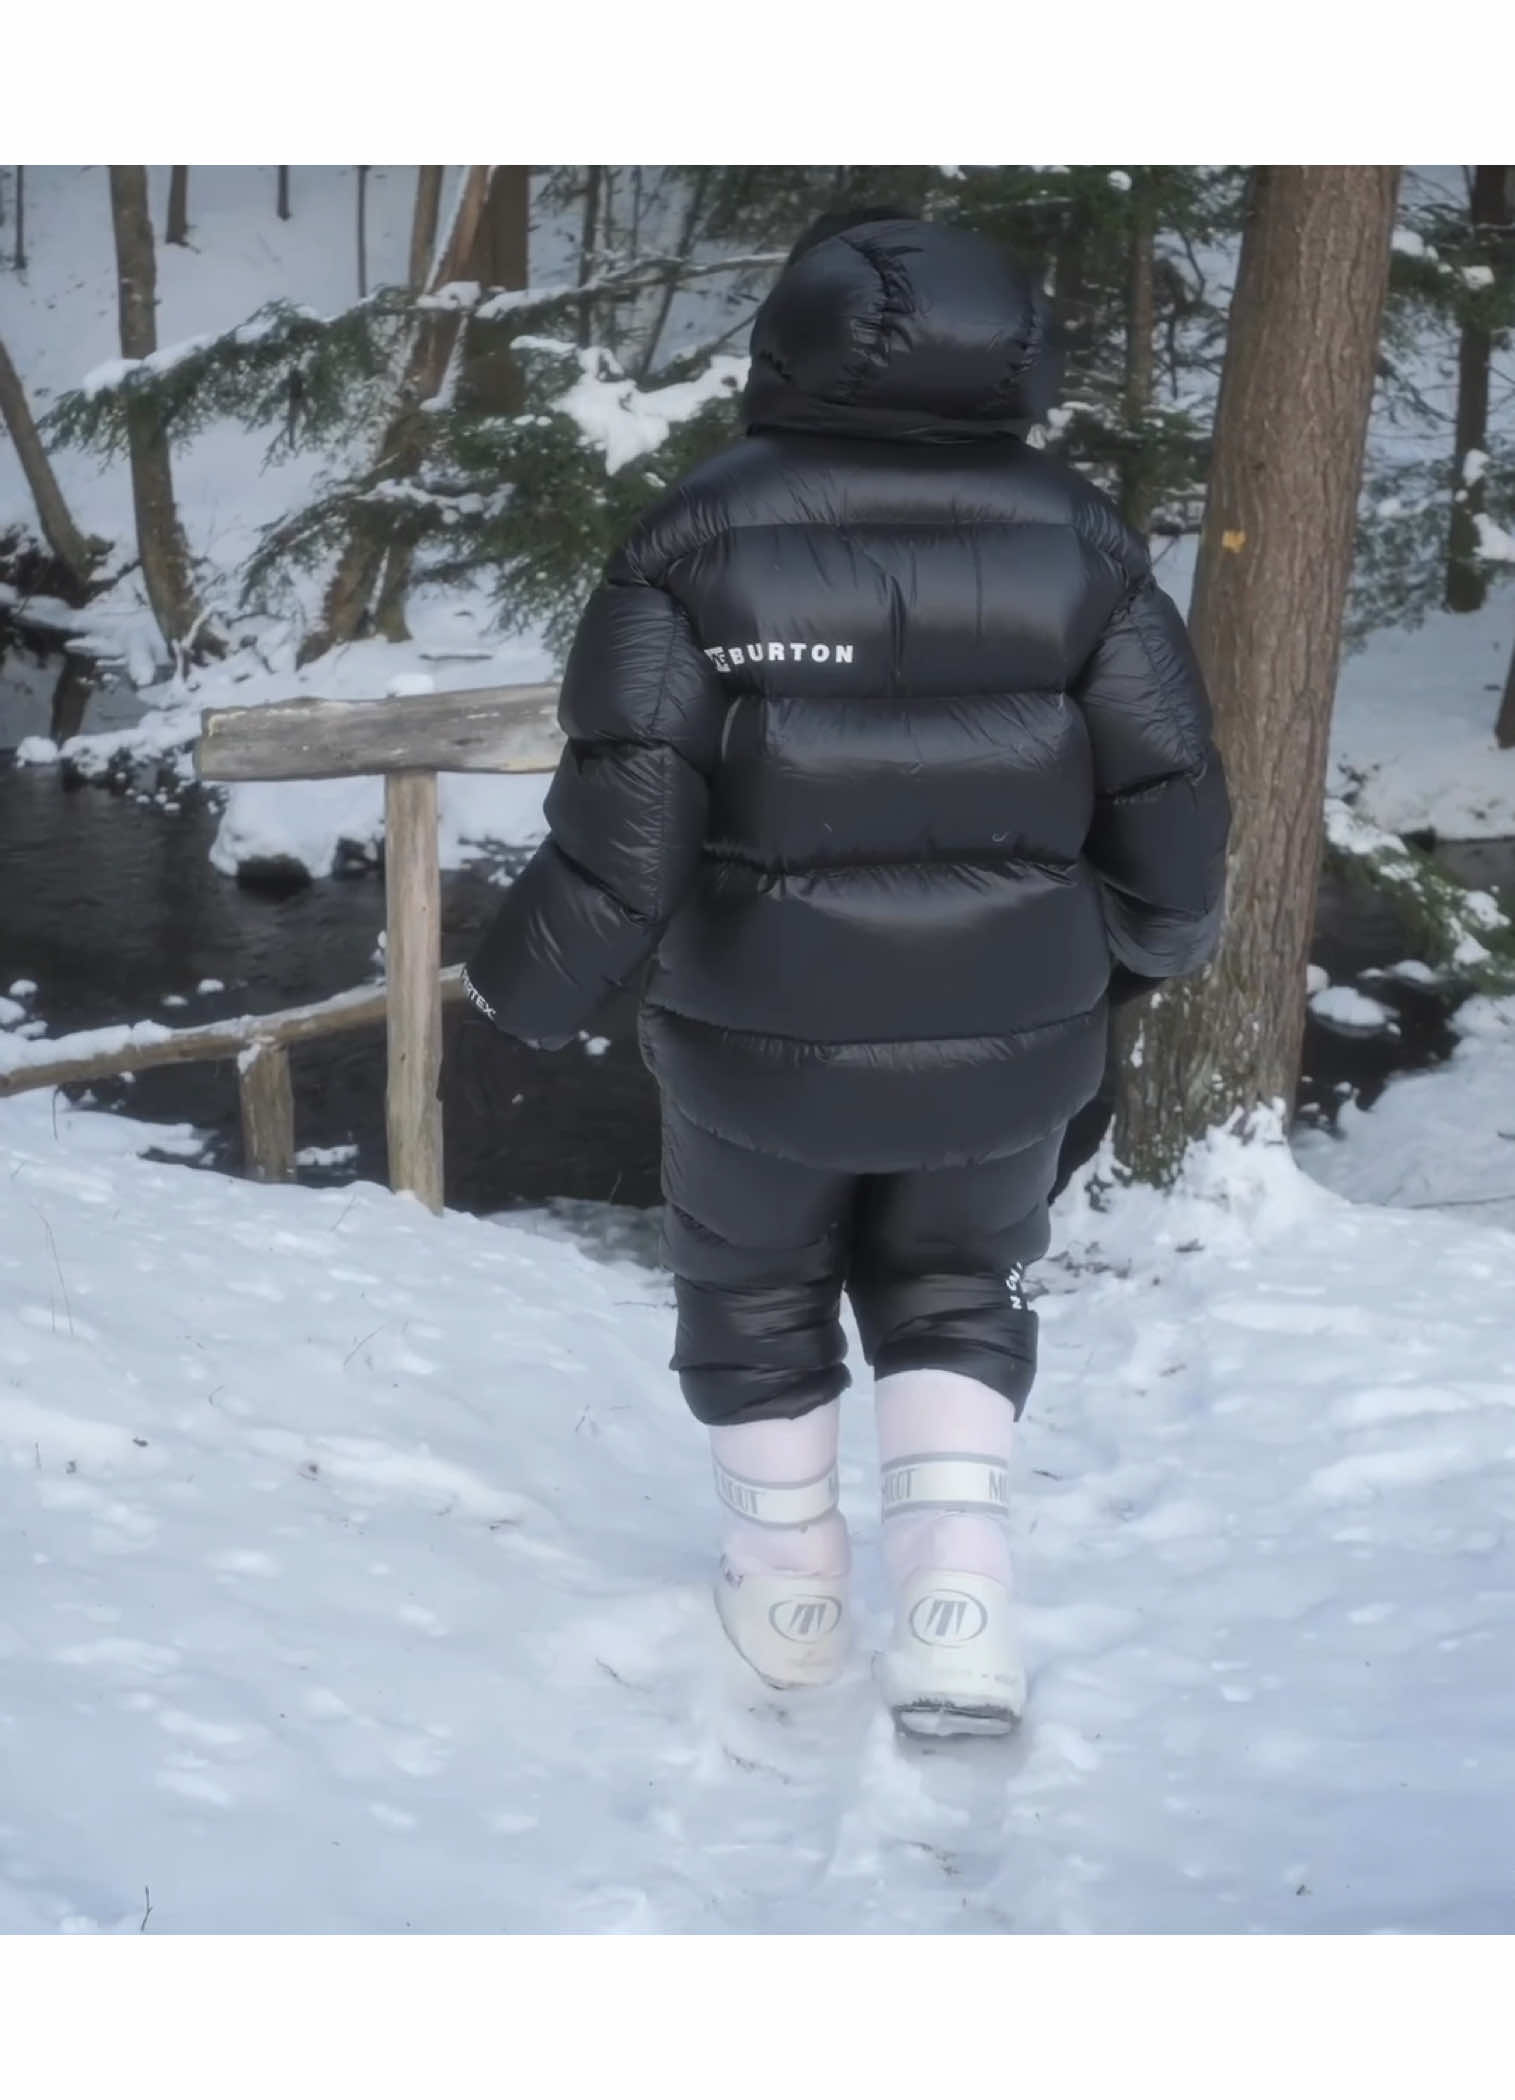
(161, 541)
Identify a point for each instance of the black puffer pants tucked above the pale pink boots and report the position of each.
(762, 1251)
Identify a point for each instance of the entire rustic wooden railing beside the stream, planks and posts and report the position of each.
(409, 742)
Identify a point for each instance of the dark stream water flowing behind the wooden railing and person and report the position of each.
(112, 908)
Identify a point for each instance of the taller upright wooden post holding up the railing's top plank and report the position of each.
(413, 910)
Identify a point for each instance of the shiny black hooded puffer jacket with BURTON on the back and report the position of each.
(881, 738)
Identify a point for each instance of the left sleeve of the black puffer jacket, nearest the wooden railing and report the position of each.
(642, 711)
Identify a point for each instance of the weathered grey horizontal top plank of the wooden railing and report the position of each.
(497, 730)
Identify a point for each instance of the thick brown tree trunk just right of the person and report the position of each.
(1270, 593)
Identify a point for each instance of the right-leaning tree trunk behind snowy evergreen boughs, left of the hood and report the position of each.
(402, 446)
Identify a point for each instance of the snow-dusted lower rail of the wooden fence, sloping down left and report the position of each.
(108, 1053)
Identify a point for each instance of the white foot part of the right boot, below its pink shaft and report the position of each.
(955, 1664)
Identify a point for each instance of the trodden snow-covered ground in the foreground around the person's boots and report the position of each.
(356, 1580)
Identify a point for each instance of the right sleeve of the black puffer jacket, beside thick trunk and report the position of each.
(1161, 805)
